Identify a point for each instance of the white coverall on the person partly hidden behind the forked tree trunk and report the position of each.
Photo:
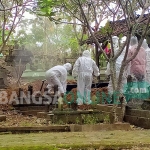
(118, 66)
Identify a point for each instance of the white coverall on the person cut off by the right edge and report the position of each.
(147, 50)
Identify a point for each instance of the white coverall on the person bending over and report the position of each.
(58, 76)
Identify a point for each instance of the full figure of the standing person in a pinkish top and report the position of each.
(137, 72)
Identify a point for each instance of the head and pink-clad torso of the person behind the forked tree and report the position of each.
(137, 66)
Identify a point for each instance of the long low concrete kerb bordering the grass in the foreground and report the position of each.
(67, 128)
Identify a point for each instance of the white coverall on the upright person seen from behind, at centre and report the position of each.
(84, 68)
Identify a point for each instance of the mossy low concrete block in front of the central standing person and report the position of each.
(76, 117)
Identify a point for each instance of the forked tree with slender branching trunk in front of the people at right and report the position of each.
(119, 9)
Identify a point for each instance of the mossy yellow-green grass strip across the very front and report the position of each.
(76, 140)
